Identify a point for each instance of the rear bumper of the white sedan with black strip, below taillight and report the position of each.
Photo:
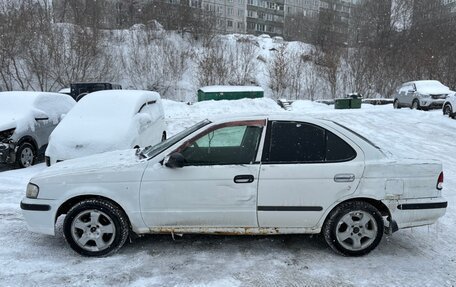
(416, 212)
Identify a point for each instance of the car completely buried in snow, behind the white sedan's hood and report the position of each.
(106, 121)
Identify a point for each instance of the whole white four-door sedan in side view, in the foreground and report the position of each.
(281, 174)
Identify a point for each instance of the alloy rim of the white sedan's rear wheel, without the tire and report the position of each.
(356, 230)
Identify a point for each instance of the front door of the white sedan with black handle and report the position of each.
(217, 187)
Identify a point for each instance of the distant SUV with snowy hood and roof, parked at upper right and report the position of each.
(421, 95)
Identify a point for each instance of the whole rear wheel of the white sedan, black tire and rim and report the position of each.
(358, 238)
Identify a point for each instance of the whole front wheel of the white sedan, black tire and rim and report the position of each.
(96, 227)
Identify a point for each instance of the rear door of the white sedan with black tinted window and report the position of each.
(305, 169)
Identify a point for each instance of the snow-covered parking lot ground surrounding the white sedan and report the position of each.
(424, 256)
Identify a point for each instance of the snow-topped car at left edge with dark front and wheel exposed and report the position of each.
(26, 121)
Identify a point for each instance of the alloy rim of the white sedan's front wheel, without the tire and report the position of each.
(93, 230)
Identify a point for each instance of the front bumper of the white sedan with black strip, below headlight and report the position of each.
(39, 215)
